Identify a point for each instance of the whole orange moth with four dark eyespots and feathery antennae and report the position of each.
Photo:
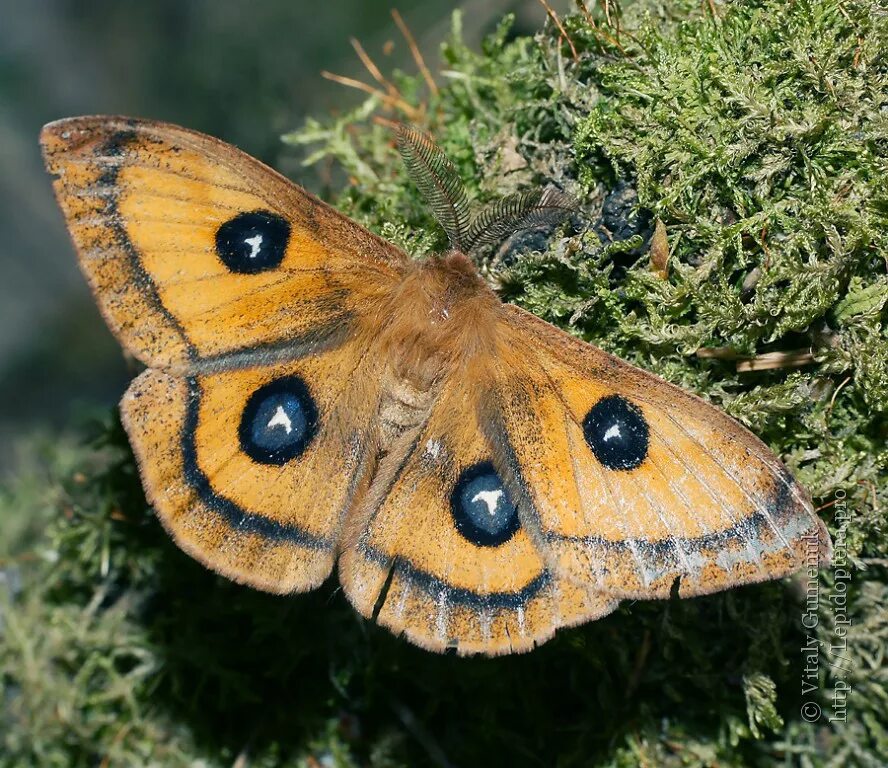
(314, 398)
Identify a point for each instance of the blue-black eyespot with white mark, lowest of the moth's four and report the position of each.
(482, 510)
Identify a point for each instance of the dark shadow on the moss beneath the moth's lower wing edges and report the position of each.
(275, 675)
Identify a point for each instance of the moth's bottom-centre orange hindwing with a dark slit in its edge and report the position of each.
(437, 553)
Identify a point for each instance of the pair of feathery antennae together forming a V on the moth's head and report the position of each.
(467, 231)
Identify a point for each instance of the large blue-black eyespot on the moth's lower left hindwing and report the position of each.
(279, 421)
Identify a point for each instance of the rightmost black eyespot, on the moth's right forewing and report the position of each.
(617, 433)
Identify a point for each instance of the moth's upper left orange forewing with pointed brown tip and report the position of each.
(201, 256)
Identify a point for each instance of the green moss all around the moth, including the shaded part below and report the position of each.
(756, 138)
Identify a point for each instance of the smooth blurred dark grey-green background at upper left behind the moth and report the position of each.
(245, 72)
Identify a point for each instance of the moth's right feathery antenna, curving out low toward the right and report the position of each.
(512, 213)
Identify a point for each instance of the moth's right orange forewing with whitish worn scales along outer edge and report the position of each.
(629, 483)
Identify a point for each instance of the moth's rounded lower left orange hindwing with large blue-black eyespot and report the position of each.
(251, 470)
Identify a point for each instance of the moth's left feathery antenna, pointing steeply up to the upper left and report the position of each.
(438, 181)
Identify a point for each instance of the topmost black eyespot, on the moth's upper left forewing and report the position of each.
(253, 242)
